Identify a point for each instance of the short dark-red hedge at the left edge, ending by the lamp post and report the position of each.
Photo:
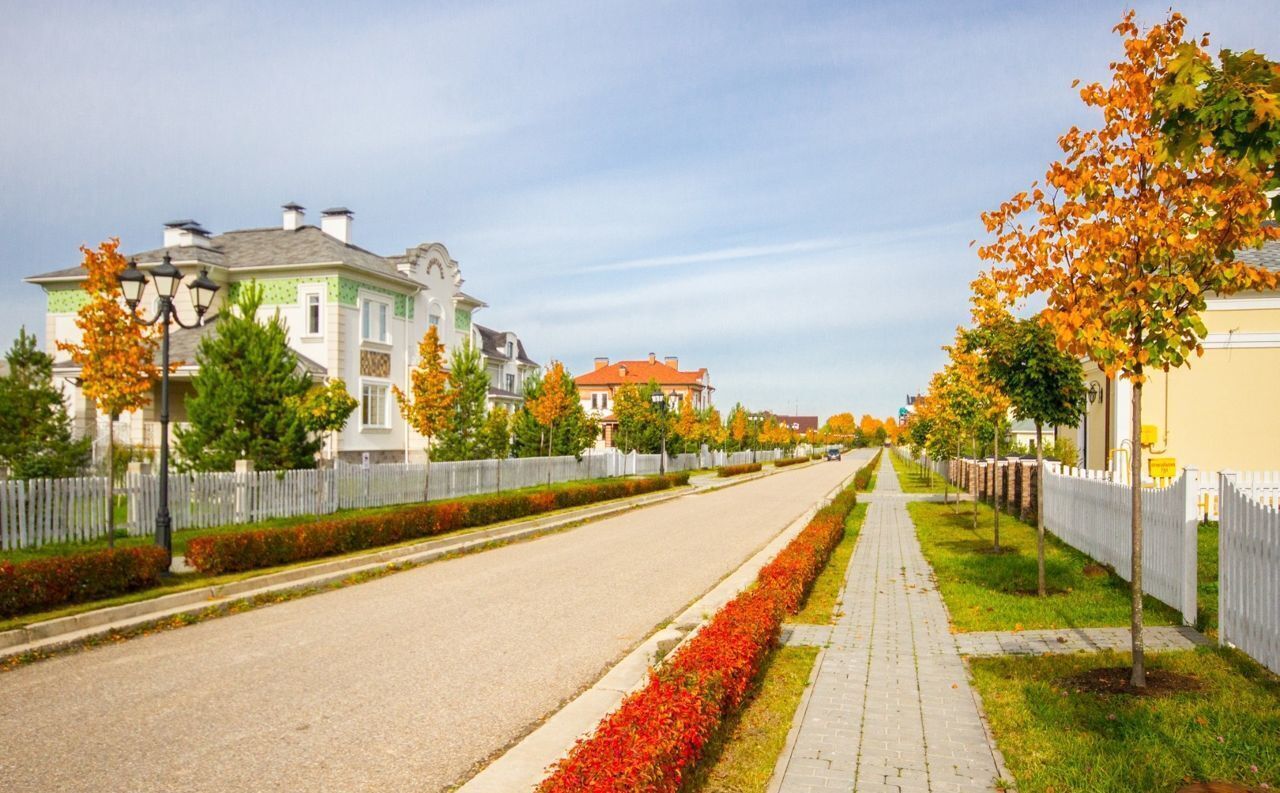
(47, 584)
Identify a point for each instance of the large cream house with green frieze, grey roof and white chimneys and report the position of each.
(350, 313)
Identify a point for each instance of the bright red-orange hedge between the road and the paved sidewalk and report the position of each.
(656, 737)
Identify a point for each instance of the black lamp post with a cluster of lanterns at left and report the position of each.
(167, 279)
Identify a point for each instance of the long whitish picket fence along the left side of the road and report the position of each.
(39, 512)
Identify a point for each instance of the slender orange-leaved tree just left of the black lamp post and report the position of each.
(116, 354)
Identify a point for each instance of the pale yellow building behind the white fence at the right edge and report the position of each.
(1219, 412)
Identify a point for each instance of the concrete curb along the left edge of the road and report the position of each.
(56, 634)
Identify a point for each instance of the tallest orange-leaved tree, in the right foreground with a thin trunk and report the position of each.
(1126, 242)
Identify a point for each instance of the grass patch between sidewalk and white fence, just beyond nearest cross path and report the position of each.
(989, 592)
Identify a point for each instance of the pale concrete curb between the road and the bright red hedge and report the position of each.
(524, 766)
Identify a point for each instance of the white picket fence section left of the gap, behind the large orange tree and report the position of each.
(1090, 512)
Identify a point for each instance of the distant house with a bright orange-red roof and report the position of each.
(597, 391)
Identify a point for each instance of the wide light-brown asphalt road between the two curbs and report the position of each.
(405, 684)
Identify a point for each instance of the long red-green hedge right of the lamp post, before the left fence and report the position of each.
(250, 551)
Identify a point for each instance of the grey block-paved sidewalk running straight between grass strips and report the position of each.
(892, 708)
